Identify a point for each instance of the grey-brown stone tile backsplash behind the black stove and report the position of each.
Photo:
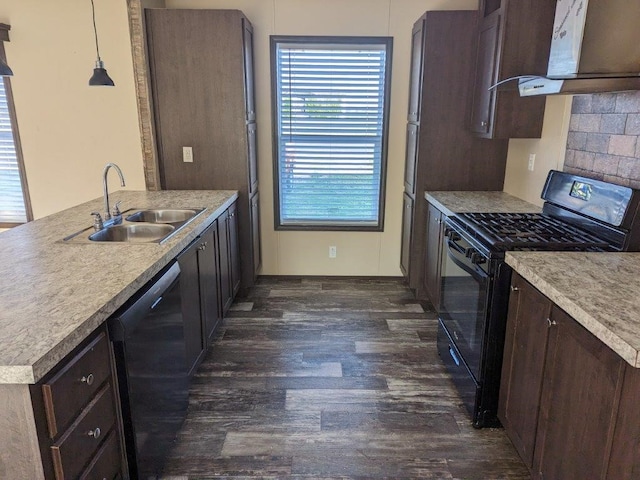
(603, 139)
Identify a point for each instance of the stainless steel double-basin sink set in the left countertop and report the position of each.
(139, 225)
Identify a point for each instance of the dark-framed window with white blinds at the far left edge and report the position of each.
(14, 206)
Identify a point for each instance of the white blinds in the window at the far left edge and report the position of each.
(12, 207)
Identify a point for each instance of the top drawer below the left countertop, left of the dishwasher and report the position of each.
(75, 384)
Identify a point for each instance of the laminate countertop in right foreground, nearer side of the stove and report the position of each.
(601, 291)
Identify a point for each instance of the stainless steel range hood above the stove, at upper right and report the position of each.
(595, 48)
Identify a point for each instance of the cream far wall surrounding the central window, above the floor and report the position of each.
(306, 253)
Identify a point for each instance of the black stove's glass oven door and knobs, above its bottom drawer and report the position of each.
(464, 293)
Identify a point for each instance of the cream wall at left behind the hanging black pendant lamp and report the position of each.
(69, 130)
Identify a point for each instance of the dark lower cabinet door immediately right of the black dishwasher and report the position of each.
(191, 312)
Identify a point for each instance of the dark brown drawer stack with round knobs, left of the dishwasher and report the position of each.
(77, 417)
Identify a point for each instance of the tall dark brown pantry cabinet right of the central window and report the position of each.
(442, 154)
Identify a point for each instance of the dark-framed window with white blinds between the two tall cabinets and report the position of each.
(331, 103)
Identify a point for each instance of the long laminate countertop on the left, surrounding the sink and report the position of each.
(53, 294)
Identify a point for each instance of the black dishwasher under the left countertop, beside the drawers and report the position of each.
(148, 340)
